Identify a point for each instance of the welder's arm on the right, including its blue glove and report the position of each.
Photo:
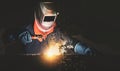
(70, 45)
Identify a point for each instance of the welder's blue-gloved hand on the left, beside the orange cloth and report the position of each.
(25, 37)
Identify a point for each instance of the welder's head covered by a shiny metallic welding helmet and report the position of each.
(45, 14)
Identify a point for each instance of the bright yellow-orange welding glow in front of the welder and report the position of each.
(53, 53)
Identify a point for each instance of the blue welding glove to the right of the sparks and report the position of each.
(82, 49)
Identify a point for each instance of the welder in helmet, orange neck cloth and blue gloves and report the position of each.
(36, 36)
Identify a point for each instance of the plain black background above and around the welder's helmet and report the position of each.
(95, 20)
